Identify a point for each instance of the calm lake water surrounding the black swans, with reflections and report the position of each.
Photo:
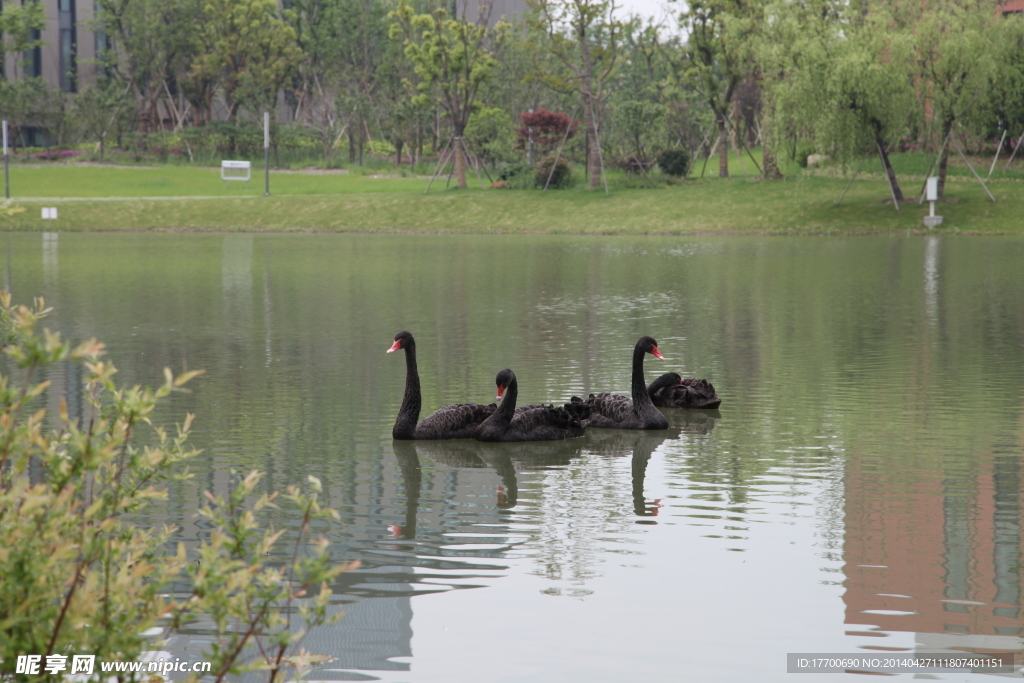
(858, 493)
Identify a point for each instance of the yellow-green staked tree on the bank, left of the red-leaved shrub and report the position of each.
(452, 59)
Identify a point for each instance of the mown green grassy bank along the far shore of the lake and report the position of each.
(189, 199)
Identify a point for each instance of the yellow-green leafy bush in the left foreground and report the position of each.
(79, 577)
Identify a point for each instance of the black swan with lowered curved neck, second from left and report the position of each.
(530, 423)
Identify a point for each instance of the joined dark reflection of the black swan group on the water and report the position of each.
(508, 459)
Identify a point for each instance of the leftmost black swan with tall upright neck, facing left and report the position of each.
(459, 421)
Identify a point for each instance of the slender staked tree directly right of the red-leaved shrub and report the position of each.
(583, 36)
